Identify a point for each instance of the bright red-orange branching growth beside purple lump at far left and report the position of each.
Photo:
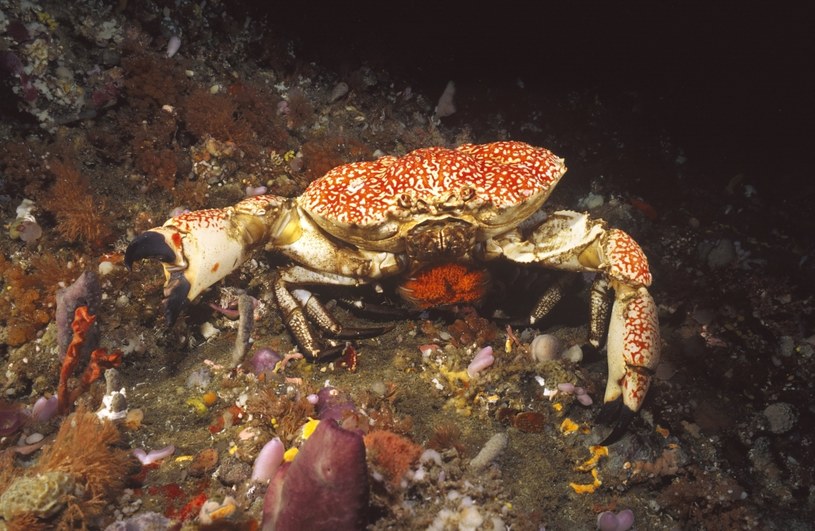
(100, 360)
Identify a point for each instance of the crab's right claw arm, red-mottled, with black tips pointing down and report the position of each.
(573, 241)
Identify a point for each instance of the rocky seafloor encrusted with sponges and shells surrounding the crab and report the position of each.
(118, 116)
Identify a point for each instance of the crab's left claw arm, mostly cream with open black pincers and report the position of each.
(200, 248)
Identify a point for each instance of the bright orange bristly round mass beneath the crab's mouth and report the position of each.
(445, 284)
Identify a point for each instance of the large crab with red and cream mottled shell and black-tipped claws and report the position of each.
(432, 219)
